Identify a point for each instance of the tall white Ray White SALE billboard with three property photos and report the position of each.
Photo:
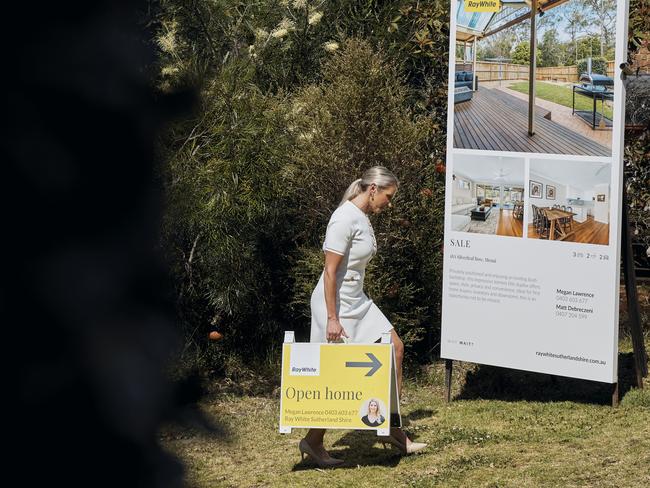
(534, 180)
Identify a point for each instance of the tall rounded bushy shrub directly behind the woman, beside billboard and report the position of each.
(342, 128)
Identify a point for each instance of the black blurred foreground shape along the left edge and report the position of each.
(89, 328)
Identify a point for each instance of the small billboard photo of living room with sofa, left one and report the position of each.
(488, 194)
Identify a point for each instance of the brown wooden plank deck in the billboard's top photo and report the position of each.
(496, 121)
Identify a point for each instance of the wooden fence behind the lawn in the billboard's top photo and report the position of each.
(495, 71)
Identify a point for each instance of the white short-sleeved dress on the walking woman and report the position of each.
(349, 234)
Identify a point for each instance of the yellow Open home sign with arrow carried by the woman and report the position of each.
(337, 386)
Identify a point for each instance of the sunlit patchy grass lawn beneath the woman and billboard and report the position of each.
(504, 428)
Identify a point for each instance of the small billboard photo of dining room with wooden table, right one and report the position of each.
(569, 201)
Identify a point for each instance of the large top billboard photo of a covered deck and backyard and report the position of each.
(570, 76)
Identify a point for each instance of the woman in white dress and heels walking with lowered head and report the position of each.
(339, 307)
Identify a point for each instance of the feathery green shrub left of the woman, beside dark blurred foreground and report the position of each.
(226, 223)
